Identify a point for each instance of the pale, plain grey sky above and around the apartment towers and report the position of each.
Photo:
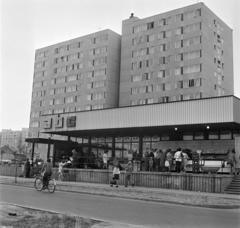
(27, 25)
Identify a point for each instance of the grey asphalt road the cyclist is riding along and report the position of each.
(142, 213)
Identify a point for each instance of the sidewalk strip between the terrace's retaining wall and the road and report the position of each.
(201, 199)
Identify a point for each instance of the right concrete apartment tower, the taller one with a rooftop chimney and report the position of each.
(178, 55)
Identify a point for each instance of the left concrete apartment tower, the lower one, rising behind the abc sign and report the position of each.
(76, 75)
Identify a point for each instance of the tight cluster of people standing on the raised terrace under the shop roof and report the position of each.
(162, 160)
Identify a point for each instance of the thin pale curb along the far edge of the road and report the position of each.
(140, 198)
